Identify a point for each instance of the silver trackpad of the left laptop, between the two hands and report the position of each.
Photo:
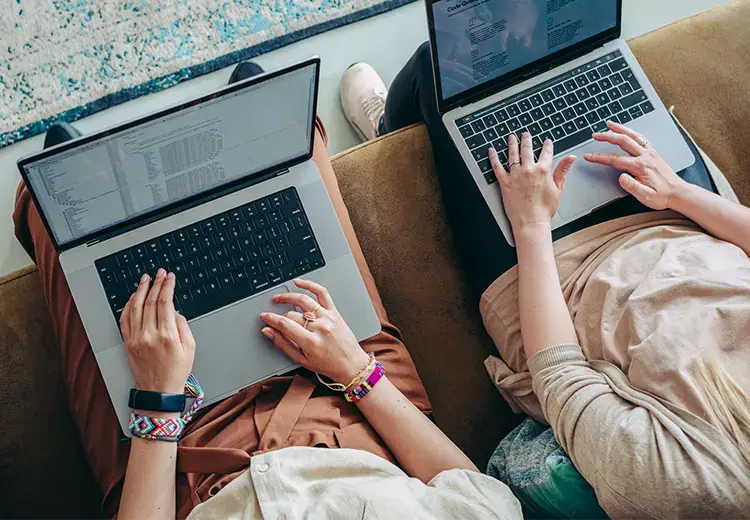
(231, 352)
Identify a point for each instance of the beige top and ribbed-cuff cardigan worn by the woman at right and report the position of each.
(648, 295)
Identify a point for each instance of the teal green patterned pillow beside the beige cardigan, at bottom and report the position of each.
(542, 476)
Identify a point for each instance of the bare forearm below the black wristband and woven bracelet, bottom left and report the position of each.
(149, 489)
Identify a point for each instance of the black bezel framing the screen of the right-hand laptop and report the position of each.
(519, 75)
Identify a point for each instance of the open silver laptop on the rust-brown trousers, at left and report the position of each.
(221, 191)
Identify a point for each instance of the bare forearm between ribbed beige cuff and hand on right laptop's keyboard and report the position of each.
(545, 320)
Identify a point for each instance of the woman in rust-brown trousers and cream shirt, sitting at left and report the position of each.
(261, 452)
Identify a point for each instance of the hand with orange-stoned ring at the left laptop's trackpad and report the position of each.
(327, 346)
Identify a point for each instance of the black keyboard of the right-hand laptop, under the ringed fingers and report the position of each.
(567, 110)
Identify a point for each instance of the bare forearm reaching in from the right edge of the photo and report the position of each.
(722, 218)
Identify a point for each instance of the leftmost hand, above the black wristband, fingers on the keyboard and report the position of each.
(158, 341)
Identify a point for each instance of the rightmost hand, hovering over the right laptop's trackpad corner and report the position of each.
(649, 178)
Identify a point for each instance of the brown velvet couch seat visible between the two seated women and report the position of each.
(394, 201)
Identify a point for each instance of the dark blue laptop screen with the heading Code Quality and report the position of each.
(480, 40)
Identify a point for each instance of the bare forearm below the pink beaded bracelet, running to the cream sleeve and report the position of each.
(422, 450)
